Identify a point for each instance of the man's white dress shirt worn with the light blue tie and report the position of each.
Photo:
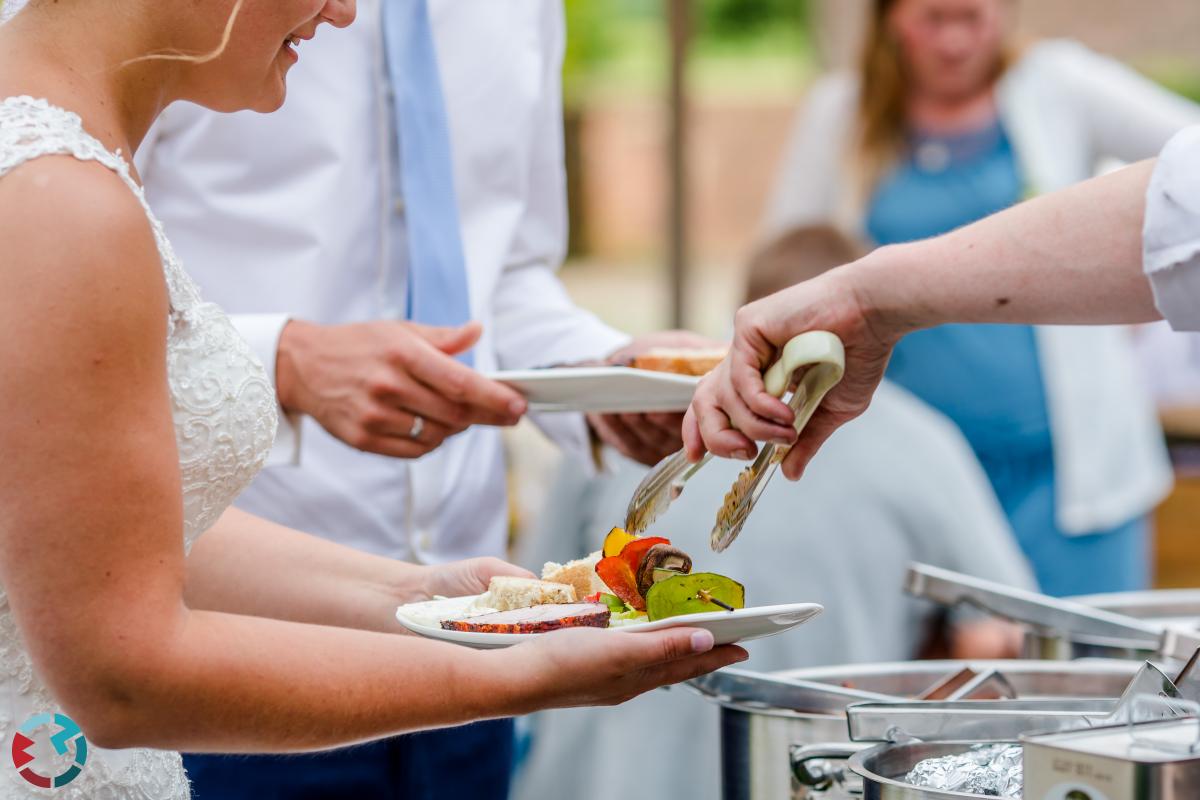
(293, 215)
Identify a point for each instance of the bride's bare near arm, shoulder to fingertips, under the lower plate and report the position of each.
(91, 532)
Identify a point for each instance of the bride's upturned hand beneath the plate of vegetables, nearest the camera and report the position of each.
(593, 667)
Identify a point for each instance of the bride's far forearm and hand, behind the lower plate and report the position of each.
(249, 566)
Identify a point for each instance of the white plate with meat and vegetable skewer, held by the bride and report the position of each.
(728, 628)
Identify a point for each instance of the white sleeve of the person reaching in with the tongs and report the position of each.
(1172, 232)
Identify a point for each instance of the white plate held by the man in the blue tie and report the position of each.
(603, 390)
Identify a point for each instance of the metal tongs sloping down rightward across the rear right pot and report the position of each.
(1052, 615)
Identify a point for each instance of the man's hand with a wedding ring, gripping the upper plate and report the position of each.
(368, 384)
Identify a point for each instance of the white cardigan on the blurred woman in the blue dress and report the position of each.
(1066, 110)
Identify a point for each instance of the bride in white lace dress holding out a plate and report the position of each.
(133, 598)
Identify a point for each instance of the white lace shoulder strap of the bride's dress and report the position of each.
(32, 129)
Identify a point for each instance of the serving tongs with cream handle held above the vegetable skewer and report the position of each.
(821, 357)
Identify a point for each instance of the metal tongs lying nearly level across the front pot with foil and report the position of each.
(994, 721)
